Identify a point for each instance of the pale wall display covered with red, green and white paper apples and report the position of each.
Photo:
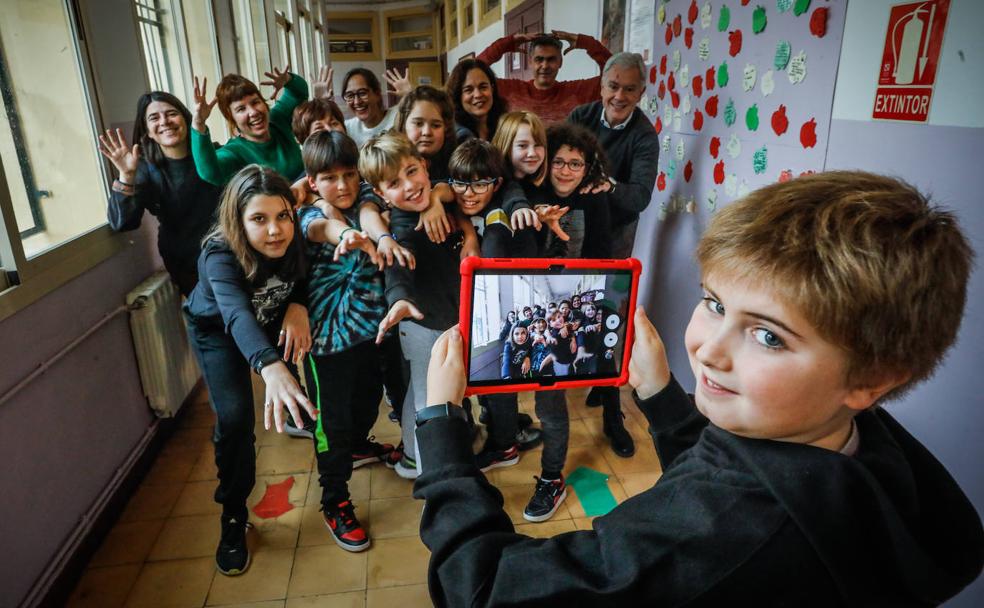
(741, 93)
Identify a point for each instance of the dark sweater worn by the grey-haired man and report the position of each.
(633, 153)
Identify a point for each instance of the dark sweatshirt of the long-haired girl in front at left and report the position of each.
(224, 300)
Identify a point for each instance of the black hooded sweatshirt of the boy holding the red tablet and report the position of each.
(732, 521)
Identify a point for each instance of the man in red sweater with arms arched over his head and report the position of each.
(545, 96)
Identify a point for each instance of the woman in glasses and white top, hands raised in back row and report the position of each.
(364, 97)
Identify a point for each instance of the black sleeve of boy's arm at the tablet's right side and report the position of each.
(674, 421)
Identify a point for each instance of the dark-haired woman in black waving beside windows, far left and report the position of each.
(157, 174)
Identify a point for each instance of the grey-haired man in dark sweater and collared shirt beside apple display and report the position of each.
(632, 147)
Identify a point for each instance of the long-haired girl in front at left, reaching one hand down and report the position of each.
(248, 312)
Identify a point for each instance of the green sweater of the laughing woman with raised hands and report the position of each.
(281, 153)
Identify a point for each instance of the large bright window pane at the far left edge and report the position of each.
(47, 139)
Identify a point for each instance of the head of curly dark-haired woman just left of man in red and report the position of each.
(475, 96)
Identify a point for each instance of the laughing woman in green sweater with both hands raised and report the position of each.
(261, 135)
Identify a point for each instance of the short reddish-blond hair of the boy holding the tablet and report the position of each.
(874, 267)
